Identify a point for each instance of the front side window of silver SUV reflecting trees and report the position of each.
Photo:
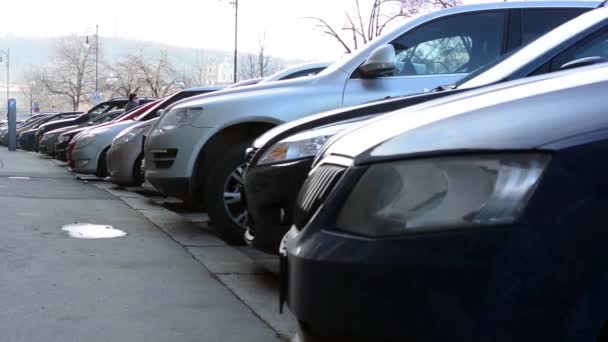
(456, 44)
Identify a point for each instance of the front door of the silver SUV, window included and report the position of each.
(436, 53)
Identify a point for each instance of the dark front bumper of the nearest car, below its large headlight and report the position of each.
(519, 283)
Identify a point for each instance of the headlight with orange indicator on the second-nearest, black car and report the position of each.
(301, 145)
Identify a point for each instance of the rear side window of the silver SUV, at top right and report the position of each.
(536, 22)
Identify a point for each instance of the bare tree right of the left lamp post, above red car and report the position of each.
(160, 77)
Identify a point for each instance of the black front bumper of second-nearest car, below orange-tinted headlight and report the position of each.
(271, 192)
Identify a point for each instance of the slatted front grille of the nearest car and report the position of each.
(314, 191)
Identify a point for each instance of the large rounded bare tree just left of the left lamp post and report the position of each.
(72, 73)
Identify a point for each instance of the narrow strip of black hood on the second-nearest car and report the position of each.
(335, 116)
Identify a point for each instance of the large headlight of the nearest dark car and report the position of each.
(425, 195)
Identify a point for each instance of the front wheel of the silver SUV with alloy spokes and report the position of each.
(223, 195)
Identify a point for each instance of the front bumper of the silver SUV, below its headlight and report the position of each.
(169, 159)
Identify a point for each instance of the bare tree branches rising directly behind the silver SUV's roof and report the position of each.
(361, 28)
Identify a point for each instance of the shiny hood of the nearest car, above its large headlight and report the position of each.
(525, 114)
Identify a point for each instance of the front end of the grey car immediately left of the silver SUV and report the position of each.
(125, 156)
